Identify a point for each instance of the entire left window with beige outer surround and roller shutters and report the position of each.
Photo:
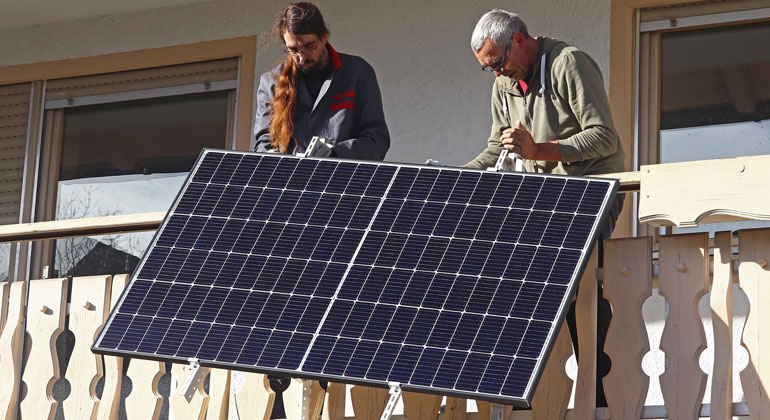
(110, 125)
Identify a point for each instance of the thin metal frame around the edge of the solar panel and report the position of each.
(541, 360)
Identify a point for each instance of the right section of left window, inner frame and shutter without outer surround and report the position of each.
(121, 144)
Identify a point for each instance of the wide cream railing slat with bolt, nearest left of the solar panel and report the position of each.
(89, 309)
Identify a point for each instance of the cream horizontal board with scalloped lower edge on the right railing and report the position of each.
(690, 193)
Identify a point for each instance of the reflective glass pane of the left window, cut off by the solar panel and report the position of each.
(129, 157)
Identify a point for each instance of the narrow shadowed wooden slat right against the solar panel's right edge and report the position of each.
(585, 317)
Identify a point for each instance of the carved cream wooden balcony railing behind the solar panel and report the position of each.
(686, 267)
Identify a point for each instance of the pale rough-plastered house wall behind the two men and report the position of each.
(436, 99)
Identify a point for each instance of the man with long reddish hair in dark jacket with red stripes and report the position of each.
(317, 91)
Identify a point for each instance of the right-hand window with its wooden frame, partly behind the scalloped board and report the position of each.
(704, 89)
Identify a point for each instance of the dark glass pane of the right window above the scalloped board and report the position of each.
(715, 98)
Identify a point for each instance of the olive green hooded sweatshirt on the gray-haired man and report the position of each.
(565, 101)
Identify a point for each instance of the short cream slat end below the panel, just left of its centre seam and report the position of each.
(254, 398)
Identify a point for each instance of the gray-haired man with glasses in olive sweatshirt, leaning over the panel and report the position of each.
(549, 107)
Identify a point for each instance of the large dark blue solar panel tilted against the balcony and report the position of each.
(445, 280)
